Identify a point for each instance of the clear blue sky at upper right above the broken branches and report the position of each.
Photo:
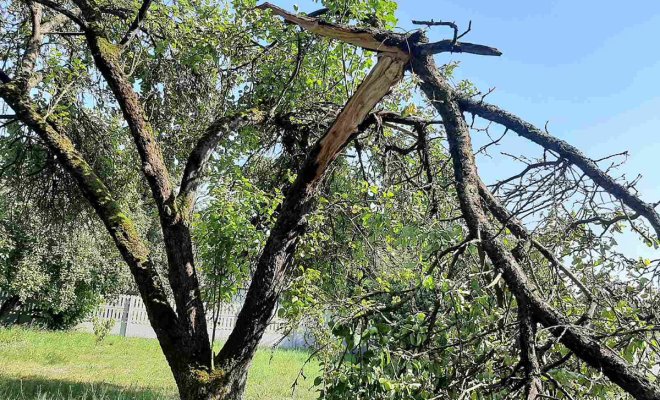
(590, 68)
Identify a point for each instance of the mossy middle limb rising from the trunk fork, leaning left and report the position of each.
(182, 274)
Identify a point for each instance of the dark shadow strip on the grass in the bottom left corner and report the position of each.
(39, 388)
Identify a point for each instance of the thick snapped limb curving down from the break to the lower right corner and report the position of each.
(584, 346)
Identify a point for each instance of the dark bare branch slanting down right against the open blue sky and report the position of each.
(566, 151)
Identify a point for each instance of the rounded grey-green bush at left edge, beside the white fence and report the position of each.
(54, 278)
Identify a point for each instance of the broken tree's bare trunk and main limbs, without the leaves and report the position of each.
(182, 328)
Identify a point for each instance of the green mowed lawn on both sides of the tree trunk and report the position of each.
(72, 366)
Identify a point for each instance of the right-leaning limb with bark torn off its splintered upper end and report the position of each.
(271, 271)
